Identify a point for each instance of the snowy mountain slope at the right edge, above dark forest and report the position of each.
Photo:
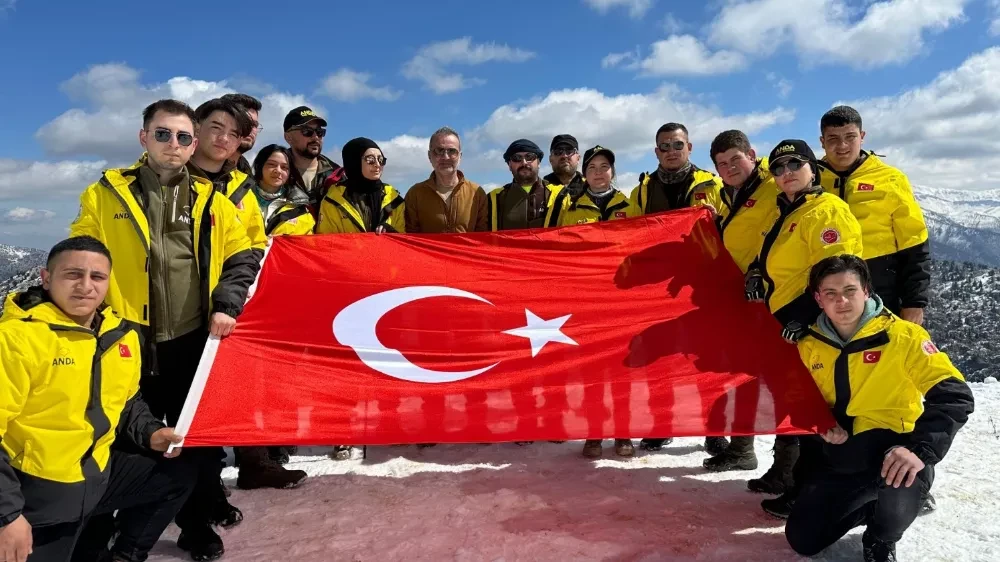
(963, 225)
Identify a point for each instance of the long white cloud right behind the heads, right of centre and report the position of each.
(626, 123)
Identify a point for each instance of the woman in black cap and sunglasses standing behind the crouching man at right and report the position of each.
(811, 225)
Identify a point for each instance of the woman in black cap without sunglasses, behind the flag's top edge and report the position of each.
(600, 201)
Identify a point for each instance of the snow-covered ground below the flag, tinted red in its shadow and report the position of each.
(545, 502)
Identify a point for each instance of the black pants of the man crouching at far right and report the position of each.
(830, 504)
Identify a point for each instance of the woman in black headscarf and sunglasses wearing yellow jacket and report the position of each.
(361, 202)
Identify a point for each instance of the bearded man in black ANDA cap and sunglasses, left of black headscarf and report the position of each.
(310, 170)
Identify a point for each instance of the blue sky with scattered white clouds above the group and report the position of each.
(608, 71)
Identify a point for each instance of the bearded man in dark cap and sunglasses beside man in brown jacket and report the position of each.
(524, 202)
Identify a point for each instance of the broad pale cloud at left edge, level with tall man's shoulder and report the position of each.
(22, 179)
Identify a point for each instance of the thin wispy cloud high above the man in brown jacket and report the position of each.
(430, 64)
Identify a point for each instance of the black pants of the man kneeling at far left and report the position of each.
(147, 491)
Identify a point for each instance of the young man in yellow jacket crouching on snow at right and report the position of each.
(898, 402)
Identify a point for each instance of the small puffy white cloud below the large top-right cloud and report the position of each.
(686, 55)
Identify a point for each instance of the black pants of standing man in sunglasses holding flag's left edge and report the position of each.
(177, 362)
